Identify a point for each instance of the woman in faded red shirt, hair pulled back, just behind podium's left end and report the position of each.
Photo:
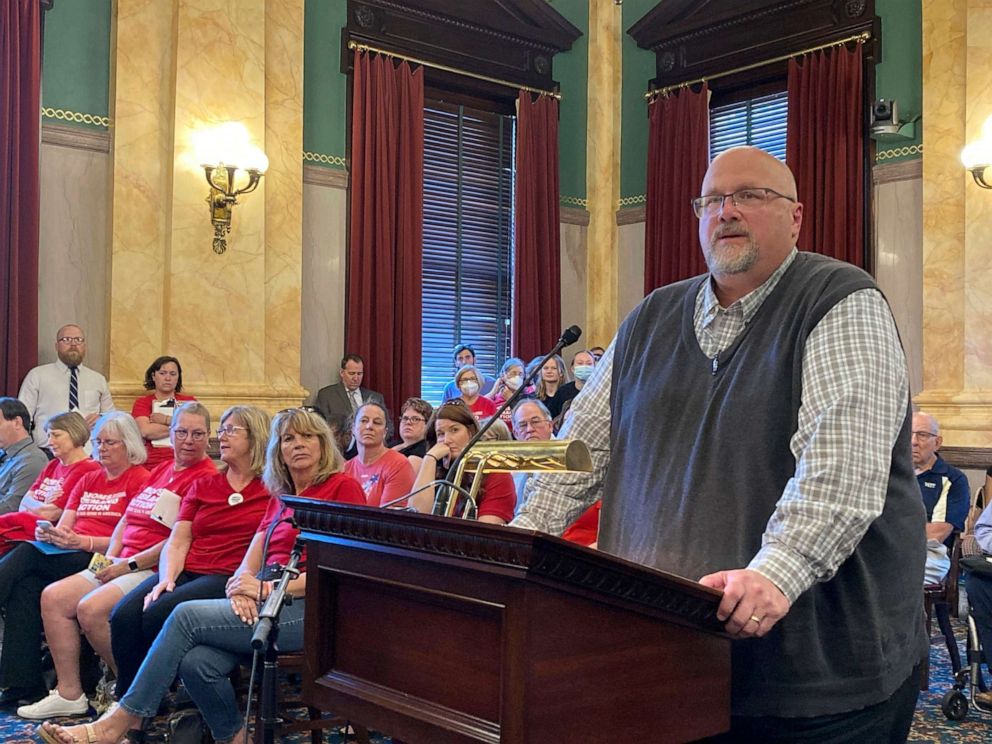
(384, 474)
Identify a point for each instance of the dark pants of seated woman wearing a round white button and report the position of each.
(133, 629)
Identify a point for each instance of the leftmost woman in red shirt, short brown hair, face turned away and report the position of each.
(67, 436)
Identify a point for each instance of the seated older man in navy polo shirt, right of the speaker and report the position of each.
(945, 494)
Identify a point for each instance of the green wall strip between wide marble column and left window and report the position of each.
(325, 87)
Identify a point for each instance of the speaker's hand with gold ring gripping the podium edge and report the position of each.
(751, 603)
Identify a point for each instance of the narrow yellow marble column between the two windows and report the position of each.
(603, 170)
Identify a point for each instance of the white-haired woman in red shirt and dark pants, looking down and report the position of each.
(91, 513)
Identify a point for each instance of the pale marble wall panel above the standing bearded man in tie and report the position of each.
(74, 250)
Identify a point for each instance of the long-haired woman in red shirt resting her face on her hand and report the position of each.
(449, 430)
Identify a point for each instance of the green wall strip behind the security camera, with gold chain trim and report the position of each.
(899, 75)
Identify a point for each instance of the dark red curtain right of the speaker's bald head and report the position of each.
(825, 149)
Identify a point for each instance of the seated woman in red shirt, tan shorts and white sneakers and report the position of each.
(84, 600)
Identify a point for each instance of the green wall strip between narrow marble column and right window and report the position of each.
(638, 68)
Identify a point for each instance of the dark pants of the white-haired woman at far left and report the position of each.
(24, 573)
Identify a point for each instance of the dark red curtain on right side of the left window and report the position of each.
(537, 266)
